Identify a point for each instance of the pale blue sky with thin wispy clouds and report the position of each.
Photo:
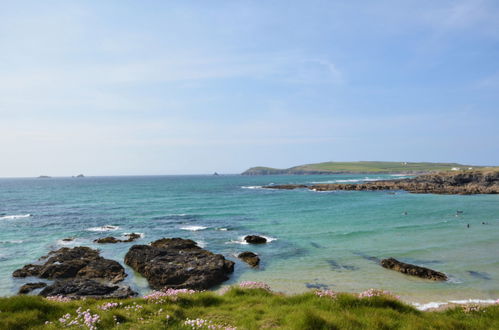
(192, 87)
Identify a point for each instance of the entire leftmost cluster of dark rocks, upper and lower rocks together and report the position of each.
(77, 271)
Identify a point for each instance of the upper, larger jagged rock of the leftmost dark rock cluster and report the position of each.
(77, 262)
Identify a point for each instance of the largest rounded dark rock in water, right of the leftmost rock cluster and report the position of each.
(178, 263)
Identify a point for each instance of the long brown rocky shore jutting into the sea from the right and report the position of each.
(464, 183)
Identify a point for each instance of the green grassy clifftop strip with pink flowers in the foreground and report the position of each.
(244, 309)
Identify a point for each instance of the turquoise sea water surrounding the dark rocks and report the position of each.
(321, 239)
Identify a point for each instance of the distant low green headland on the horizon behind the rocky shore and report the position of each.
(359, 167)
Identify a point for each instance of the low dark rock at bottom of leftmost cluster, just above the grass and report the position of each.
(78, 288)
